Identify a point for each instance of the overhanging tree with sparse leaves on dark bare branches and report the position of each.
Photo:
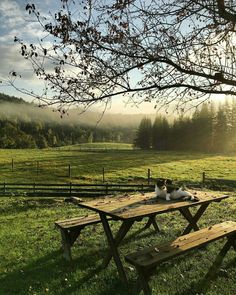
(147, 50)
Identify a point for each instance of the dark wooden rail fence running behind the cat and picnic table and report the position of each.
(88, 189)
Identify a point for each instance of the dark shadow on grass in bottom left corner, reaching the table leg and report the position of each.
(52, 273)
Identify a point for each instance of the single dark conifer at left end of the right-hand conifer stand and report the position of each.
(144, 134)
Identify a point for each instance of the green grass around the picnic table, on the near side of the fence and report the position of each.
(31, 260)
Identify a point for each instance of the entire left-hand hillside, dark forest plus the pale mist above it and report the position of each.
(25, 125)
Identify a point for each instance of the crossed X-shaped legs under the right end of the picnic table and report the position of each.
(193, 219)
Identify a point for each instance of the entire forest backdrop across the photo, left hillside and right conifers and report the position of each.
(212, 128)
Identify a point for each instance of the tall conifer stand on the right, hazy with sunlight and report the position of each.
(210, 129)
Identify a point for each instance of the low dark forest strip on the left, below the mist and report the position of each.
(20, 134)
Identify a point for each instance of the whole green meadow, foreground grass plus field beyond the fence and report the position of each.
(31, 260)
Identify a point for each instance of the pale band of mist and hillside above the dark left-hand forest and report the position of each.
(12, 108)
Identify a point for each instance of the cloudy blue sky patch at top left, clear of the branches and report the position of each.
(15, 21)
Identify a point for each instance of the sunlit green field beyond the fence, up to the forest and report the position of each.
(120, 162)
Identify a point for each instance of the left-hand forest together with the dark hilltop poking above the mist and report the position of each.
(22, 130)
